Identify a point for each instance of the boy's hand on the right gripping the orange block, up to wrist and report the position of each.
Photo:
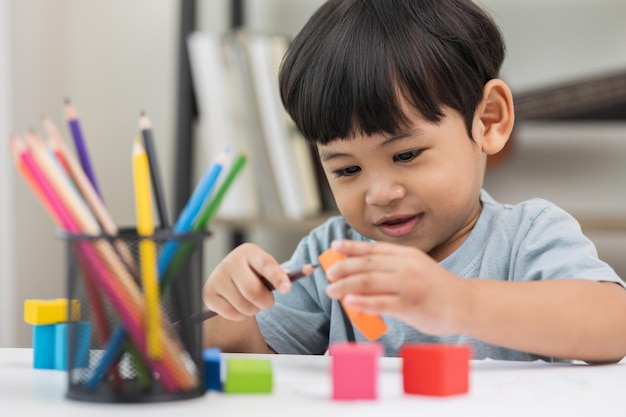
(399, 281)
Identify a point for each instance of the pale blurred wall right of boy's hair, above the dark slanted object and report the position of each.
(554, 40)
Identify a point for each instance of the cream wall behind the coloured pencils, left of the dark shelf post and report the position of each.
(112, 58)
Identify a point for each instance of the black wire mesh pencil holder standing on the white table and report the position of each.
(122, 344)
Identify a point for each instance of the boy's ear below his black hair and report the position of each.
(494, 117)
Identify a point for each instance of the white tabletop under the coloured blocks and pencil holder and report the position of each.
(302, 387)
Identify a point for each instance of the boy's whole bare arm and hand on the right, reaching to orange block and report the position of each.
(562, 318)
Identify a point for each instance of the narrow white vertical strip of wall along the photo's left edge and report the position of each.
(8, 302)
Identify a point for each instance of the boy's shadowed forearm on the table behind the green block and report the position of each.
(241, 336)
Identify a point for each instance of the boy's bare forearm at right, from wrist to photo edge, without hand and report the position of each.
(565, 318)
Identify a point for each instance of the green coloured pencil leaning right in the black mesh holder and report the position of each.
(204, 218)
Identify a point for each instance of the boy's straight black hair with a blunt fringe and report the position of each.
(343, 71)
